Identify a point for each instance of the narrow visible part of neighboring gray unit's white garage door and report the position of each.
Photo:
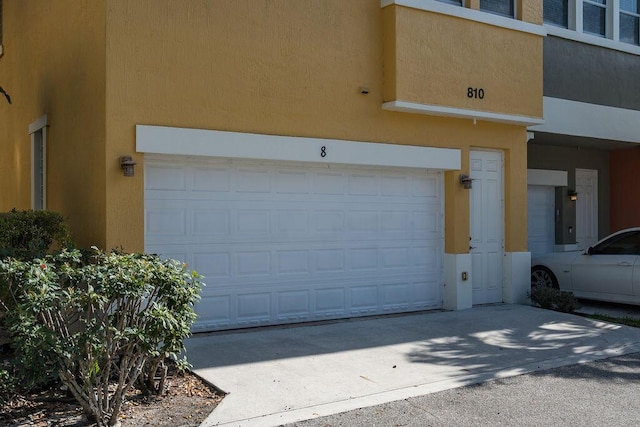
(540, 219)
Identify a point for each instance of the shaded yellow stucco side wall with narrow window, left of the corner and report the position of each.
(54, 65)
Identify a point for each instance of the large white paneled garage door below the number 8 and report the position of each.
(283, 242)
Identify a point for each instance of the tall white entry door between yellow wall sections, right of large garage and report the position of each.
(487, 226)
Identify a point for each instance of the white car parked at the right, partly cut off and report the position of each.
(607, 271)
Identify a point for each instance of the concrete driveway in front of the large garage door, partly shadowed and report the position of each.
(282, 375)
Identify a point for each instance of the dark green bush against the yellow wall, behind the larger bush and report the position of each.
(26, 235)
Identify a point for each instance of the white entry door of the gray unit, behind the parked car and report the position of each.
(586, 208)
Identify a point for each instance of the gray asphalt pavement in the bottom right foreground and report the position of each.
(599, 393)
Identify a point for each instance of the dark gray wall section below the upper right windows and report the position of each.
(587, 73)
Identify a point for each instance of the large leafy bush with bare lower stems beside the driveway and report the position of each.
(100, 325)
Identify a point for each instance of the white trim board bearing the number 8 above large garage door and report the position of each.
(199, 142)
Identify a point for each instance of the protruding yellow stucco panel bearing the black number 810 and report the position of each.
(433, 59)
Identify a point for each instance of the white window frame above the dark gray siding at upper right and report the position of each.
(575, 30)
